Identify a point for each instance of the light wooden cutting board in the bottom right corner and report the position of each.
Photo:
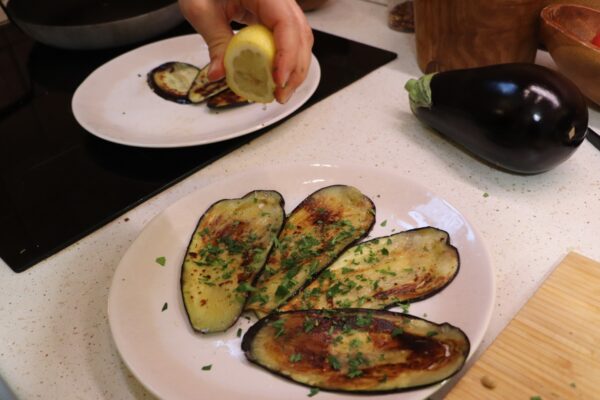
(551, 349)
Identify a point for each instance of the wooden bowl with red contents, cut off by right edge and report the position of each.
(567, 31)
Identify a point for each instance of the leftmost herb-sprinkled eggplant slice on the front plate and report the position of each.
(227, 250)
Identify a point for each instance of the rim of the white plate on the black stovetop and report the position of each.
(76, 102)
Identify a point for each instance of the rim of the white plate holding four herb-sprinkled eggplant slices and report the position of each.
(340, 166)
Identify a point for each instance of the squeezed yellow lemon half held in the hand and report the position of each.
(249, 64)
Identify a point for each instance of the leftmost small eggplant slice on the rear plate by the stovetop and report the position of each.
(173, 80)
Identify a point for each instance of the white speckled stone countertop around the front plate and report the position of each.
(55, 341)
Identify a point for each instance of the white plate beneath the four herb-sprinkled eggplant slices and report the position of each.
(163, 352)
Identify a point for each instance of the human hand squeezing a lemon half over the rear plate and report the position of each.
(292, 34)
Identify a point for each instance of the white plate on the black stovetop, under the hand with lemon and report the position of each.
(115, 102)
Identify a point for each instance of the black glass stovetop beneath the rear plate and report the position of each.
(58, 183)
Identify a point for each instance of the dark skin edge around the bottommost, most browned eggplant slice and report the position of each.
(254, 329)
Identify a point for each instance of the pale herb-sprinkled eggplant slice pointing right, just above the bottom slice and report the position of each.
(383, 272)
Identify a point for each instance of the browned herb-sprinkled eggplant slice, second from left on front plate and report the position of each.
(315, 233)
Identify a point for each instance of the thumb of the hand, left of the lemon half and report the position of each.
(211, 22)
